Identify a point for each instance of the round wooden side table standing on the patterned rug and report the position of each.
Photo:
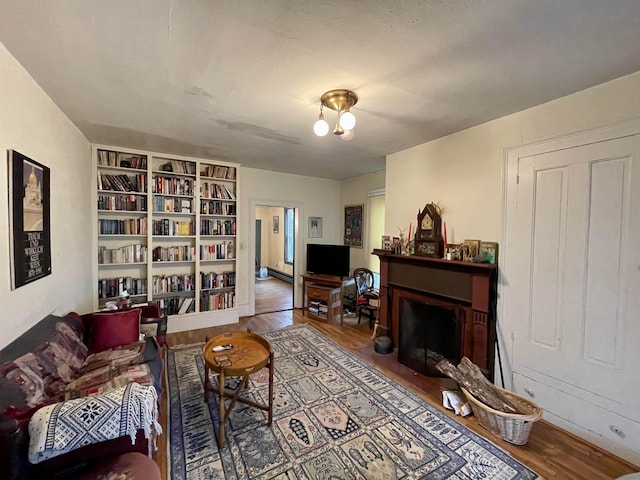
(248, 353)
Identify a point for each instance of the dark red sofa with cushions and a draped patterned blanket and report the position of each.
(77, 391)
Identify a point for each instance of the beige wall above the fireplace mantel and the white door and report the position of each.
(463, 172)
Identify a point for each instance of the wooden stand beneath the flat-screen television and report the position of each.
(326, 289)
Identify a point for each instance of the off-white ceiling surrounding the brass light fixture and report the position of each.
(241, 80)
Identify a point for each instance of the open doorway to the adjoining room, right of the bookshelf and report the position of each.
(274, 265)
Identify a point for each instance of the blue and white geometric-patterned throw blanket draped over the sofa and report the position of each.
(62, 427)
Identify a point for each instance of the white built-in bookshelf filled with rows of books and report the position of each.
(166, 232)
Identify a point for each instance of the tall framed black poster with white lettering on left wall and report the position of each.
(29, 219)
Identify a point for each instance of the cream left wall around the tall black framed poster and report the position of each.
(33, 125)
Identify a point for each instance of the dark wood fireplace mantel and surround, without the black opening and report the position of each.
(469, 285)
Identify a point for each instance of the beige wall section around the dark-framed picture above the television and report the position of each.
(355, 191)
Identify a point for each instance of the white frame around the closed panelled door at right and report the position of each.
(511, 156)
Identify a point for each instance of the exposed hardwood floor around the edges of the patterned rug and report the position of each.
(551, 452)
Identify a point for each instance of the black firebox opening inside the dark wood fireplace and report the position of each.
(427, 334)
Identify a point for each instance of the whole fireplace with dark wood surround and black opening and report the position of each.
(434, 308)
